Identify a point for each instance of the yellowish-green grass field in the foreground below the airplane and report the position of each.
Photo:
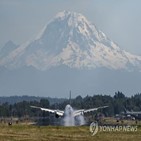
(57, 133)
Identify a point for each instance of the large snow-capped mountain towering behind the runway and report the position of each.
(71, 40)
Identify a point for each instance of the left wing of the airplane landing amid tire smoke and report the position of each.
(58, 112)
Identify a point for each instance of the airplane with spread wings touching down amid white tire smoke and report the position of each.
(69, 110)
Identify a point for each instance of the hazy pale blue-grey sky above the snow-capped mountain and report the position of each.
(22, 20)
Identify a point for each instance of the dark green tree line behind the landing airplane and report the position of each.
(117, 104)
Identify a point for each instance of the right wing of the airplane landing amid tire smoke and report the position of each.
(83, 111)
